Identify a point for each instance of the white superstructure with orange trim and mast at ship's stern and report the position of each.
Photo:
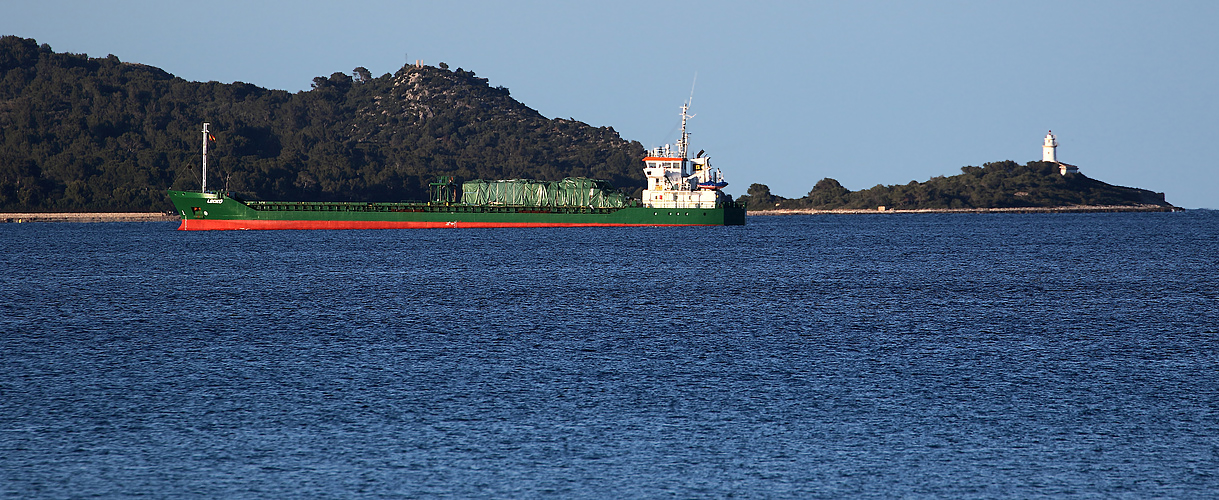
(676, 181)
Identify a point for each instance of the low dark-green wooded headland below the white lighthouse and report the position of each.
(993, 186)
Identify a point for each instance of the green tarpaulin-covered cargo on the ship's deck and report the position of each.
(570, 192)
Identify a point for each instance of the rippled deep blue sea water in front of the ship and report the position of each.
(798, 357)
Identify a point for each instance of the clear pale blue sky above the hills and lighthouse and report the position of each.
(788, 93)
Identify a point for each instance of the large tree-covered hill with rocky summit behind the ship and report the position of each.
(80, 134)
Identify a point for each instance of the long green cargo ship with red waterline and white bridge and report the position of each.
(681, 192)
